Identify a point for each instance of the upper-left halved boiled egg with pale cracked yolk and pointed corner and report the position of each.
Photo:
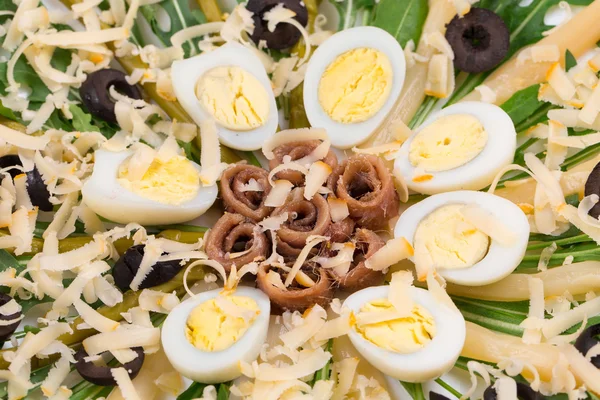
(230, 86)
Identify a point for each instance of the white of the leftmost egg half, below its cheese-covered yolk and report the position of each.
(107, 198)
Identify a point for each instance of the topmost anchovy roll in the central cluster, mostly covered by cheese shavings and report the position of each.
(296, 151)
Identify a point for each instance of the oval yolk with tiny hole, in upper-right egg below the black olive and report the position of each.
(448, 143)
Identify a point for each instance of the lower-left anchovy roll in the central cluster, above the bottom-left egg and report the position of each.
(235, 239)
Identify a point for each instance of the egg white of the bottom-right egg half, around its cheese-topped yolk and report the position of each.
(435, 358)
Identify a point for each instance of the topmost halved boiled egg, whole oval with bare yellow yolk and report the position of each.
(352, 82)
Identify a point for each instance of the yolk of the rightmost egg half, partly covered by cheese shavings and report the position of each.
(450, 240)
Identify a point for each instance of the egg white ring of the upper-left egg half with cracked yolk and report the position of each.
(185, 75)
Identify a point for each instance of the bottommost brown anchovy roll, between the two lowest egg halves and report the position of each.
(296, 297)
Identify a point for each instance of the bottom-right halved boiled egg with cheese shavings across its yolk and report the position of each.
(411, 348)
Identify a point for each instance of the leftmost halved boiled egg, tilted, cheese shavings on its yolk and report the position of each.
(167, 193)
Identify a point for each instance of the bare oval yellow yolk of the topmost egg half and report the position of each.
(355, 85)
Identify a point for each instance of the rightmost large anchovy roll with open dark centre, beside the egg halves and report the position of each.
(367, 186)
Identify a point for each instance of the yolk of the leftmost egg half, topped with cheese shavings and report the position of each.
(173, 182)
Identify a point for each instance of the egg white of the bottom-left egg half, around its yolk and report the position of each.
(218, 366)
